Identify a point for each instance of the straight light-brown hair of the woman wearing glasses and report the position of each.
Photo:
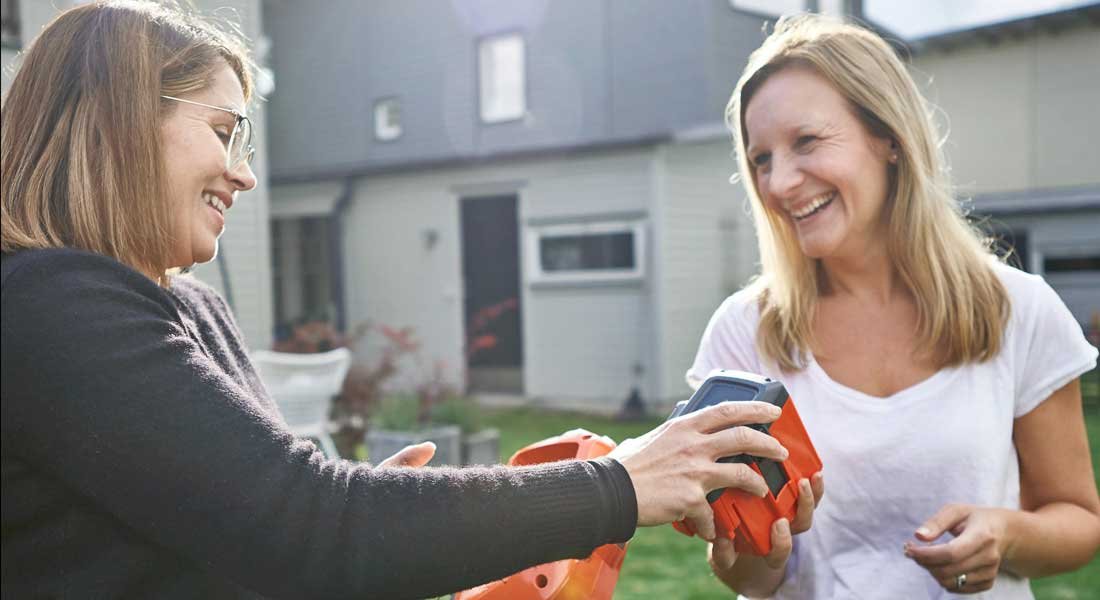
(81, 148)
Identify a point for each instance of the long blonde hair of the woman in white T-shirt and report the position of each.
(962, 306)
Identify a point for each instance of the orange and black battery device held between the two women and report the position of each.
(740, 516)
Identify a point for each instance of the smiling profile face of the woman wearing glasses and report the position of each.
(201, 189)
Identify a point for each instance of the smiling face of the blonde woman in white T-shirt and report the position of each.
(817, 167)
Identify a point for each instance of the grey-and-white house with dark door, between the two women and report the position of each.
(565, 159)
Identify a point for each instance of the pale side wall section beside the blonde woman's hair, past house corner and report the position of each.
(708, 250)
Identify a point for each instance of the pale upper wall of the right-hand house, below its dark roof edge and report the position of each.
(1022, 113)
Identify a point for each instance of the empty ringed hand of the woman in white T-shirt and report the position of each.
(970, 563)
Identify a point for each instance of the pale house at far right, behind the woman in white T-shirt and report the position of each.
(1021, 101)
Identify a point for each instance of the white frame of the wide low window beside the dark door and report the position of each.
(534, 255)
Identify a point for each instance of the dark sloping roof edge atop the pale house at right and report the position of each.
(1088, 15)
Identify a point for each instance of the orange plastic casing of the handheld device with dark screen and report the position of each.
(738, 515)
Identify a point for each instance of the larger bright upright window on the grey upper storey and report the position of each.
(503, 79)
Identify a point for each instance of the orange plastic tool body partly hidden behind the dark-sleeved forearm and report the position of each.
(595, 577)
